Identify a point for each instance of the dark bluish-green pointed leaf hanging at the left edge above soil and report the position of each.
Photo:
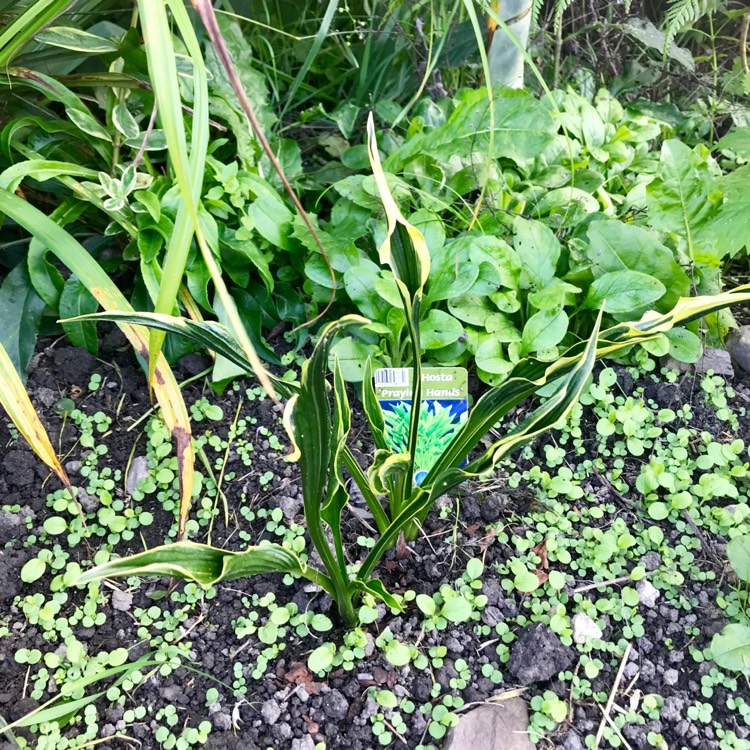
(21, 311)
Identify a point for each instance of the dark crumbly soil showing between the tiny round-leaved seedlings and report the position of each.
(283, 710)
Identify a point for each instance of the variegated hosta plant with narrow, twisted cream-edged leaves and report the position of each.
(317, 418)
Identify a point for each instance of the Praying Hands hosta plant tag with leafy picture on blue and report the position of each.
(443, 410)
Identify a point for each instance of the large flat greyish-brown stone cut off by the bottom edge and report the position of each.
(502, 724)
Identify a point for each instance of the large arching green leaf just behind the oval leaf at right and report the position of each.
(615, 246)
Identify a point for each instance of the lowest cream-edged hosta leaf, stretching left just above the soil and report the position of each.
(202, 564)
